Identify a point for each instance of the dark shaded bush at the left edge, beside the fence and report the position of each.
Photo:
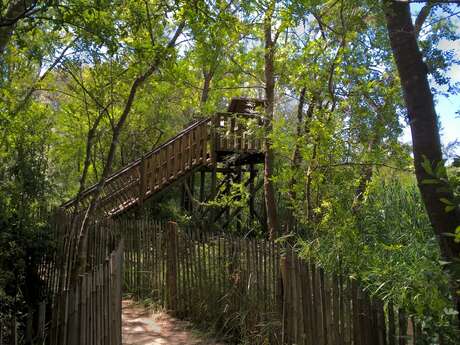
(24, 230)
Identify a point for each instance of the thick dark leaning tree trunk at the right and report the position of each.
(423, 123)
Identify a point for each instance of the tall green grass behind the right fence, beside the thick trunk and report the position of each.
(390, 246)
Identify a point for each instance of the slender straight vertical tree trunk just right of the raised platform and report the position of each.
(270, 202)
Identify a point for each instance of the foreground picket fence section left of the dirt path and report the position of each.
(89, 313)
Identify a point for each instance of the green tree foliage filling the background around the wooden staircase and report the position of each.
(66, 72)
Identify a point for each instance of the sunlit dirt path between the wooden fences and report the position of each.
(145, 327)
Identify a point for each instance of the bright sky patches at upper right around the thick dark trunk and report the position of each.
(446, 107)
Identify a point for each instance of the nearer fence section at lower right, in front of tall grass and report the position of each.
(332, 309)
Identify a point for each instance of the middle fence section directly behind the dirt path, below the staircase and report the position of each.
(212, 279)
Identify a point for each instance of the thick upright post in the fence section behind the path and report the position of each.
(171, 267)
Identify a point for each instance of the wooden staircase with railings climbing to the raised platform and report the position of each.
(201, 145)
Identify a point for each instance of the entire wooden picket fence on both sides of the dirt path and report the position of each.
(246, 287)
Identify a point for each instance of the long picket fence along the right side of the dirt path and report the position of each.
(255, 289)
